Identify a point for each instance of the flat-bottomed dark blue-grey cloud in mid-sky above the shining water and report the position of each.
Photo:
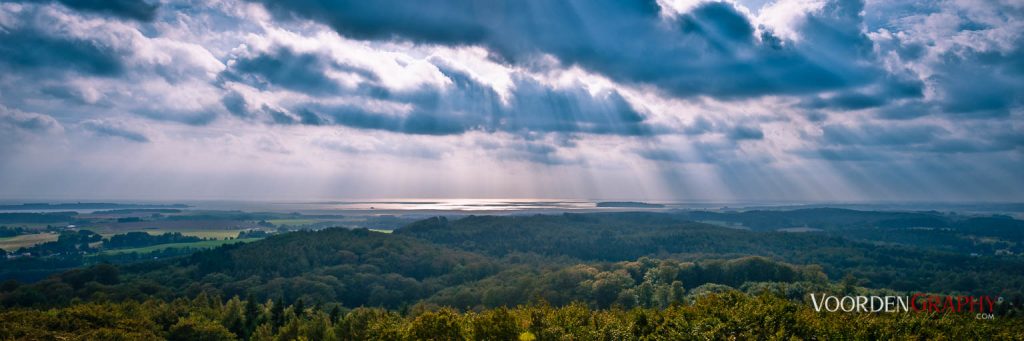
(472, 106)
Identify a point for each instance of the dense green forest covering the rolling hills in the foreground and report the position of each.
(589, 277)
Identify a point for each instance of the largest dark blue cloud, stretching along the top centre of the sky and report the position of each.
(711, 51)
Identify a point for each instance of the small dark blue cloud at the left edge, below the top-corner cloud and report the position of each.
(28, 51)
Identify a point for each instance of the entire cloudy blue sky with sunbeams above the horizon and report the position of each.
(691, 101)
